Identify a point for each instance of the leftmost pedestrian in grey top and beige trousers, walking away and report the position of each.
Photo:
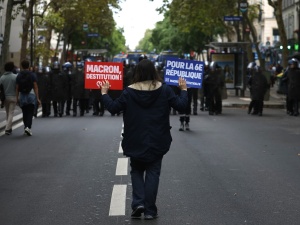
(8, 82)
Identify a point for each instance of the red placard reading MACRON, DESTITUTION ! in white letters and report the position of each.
(98, 72)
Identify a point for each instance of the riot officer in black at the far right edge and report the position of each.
(293, 79)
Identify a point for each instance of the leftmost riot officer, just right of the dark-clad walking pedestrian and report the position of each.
(44, 85)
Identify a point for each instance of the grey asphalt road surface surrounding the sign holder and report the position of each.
(230, 169)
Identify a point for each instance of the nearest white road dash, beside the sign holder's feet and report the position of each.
(118, 200)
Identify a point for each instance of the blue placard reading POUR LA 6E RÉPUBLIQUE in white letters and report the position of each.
(191, 71)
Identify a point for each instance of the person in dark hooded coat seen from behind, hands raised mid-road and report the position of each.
(147, 137)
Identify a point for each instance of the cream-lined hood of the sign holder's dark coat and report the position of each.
(145, 93)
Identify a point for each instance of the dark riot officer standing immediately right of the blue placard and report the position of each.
(214, 83)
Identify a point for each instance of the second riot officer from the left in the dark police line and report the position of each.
(59, 89)
